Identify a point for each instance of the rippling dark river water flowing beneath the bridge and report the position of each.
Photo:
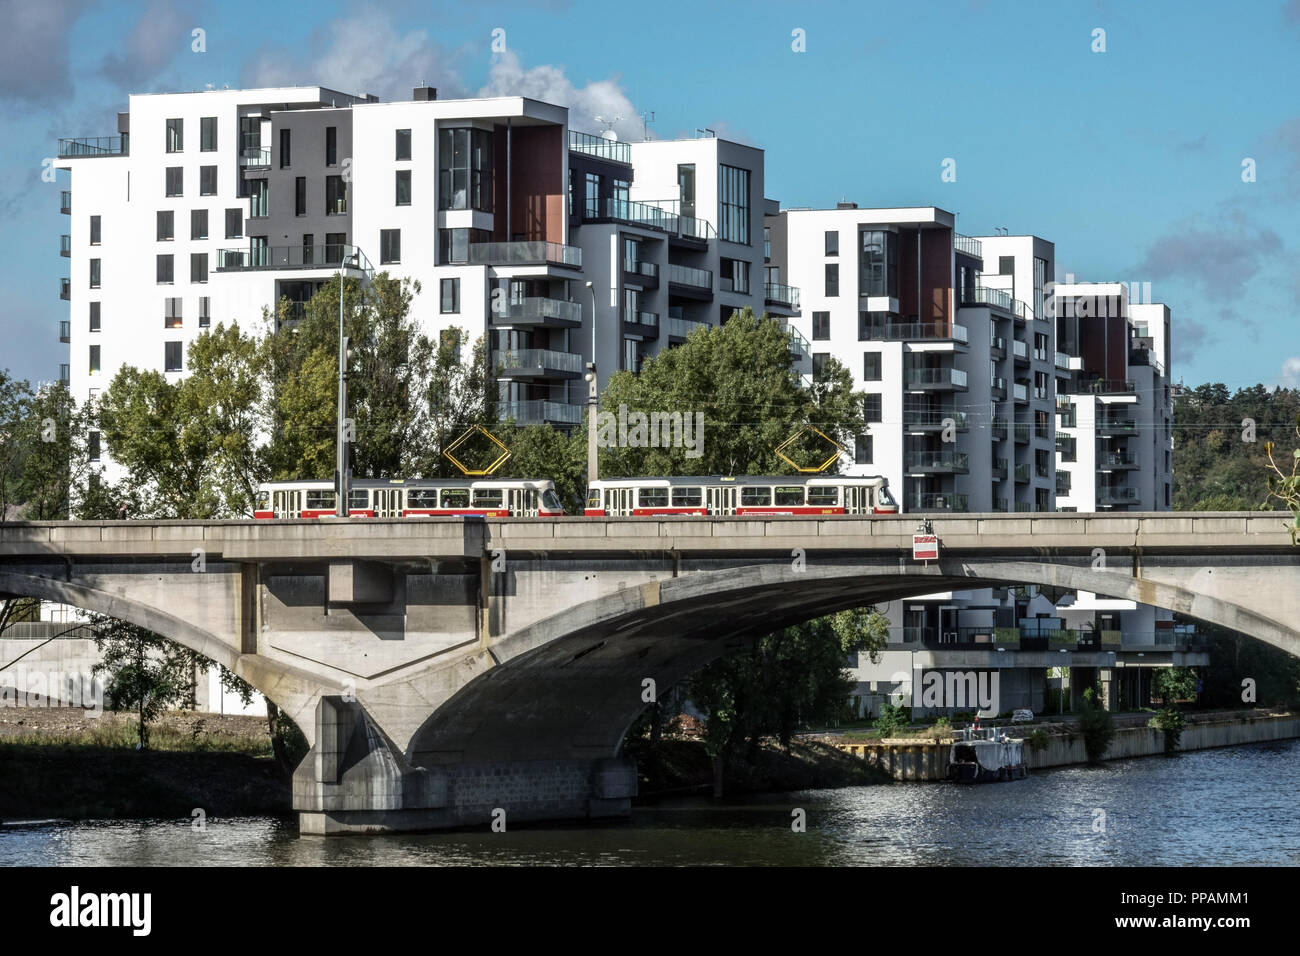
(1224, 807)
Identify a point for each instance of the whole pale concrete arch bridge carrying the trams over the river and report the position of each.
(444, 671)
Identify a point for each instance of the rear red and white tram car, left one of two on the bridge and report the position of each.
(413, 499)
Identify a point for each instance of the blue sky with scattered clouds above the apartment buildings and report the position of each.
(1129, 161)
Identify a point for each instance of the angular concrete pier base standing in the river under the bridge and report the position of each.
(356, 781)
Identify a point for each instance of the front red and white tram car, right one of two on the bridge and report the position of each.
(743, 495)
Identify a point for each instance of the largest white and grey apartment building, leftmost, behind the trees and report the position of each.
(214, 206)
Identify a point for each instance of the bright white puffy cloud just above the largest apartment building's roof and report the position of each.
(604, 98)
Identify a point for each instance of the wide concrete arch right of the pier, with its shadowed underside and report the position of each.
(571, 686)
